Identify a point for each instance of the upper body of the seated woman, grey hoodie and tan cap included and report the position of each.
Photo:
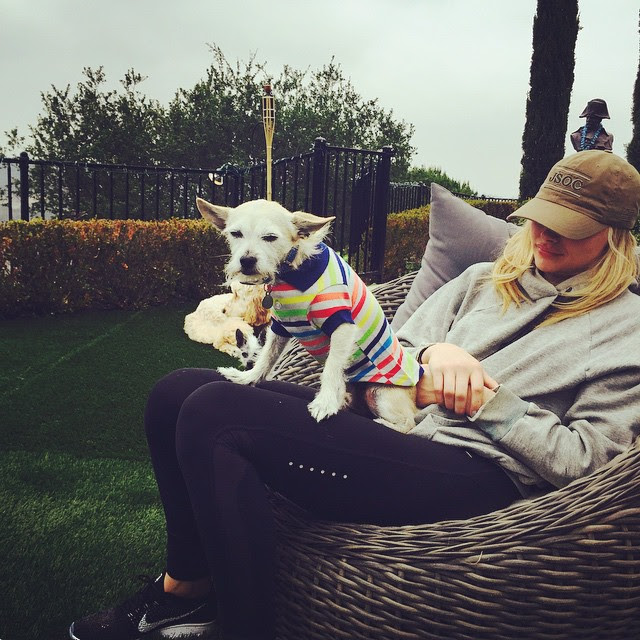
(554, 321)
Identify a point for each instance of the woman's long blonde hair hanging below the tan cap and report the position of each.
(610, 276)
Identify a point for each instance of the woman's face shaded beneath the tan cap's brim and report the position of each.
(559, 258)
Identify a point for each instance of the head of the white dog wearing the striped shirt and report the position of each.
(261, 234)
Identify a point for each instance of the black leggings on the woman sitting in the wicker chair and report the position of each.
(215, 444)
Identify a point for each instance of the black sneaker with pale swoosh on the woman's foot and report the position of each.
(150, 613)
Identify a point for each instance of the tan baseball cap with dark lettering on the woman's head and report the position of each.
(585, 193)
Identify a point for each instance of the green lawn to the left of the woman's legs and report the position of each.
(79, 512)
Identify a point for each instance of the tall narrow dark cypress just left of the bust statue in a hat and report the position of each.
(555, 30)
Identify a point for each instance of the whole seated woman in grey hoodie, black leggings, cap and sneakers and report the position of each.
(531, 380)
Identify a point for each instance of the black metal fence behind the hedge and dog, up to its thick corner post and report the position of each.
(350, 184)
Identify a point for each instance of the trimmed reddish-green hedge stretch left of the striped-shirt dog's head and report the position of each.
(64, 266)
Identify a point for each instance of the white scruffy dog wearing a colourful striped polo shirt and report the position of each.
(318, 299)
